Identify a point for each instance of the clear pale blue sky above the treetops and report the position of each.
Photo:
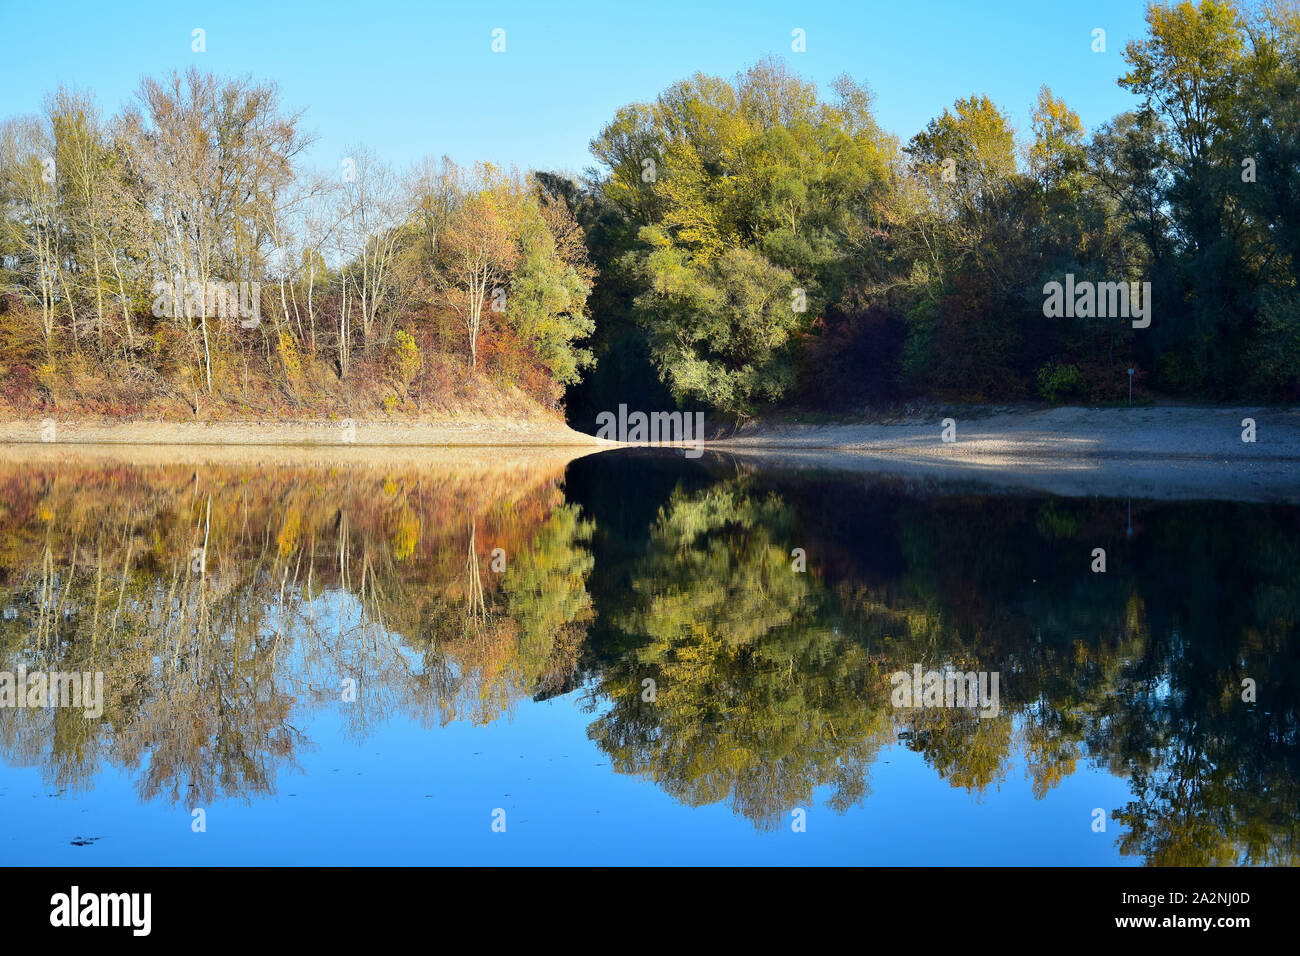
(415, 79)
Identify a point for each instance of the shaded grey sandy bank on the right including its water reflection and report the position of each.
(1163, 453)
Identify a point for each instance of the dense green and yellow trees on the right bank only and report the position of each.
(761, 244)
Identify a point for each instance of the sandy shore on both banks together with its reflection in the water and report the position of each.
(1167, 452)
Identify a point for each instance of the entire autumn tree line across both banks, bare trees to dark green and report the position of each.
(739, 245)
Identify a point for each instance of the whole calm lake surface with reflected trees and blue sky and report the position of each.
(640, 659)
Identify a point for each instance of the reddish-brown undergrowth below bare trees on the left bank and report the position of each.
(257, 380)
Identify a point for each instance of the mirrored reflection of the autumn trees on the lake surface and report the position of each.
(228, 605)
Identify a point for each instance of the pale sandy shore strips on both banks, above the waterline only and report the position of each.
(1003, 439)
